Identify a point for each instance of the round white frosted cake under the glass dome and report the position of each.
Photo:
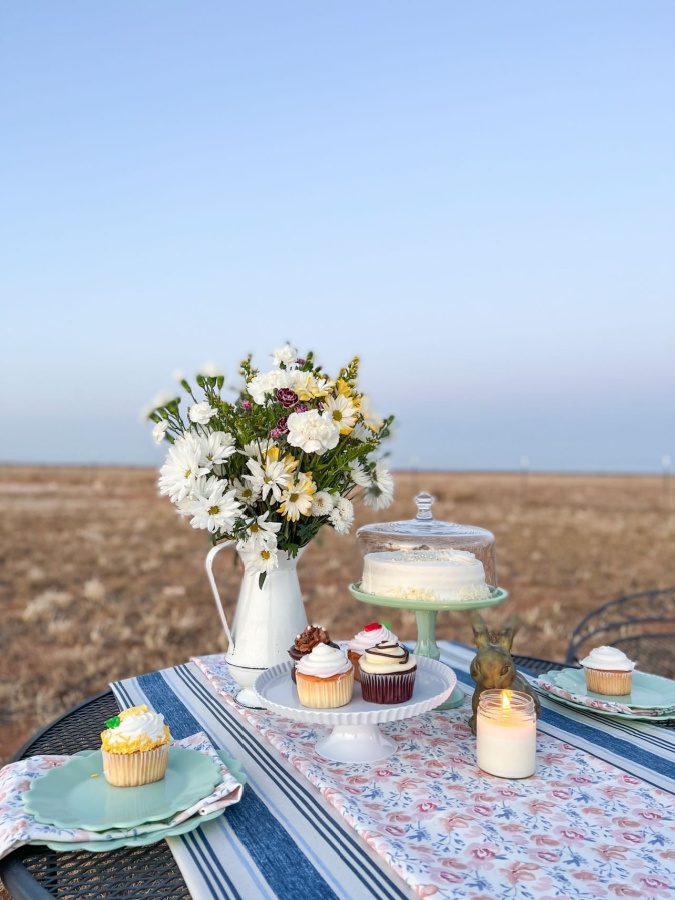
(443, 576)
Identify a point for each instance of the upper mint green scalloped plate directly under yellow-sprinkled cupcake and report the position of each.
(76, 795)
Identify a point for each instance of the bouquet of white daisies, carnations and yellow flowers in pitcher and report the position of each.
(285, 455)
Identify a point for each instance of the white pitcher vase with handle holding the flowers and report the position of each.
(265, 624)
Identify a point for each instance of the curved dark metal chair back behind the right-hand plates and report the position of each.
(642, 625)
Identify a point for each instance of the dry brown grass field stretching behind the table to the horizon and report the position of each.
(99, 579)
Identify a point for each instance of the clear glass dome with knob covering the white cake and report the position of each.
(424, 532)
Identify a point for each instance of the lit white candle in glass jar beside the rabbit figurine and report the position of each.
(506, 734)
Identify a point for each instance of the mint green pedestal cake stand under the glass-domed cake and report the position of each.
(426, 612)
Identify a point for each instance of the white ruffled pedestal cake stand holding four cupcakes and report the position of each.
(355, 736)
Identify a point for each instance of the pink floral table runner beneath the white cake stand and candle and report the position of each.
(581, 827)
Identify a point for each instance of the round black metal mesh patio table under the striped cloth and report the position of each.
(39, 873)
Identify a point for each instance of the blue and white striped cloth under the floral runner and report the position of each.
(283, 839)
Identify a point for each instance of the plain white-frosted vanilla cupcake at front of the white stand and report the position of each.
(325, 678)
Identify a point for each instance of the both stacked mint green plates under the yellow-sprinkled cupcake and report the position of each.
(76, 796)
